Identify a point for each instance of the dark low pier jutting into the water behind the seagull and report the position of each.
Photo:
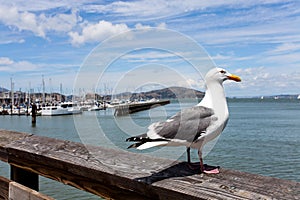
(126, 109)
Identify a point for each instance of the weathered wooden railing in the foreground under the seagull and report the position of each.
(118, 174)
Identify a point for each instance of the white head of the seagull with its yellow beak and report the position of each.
(220, 75)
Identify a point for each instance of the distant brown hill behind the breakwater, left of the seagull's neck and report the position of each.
(166, 93)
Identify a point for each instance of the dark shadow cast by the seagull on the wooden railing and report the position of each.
(181, 169)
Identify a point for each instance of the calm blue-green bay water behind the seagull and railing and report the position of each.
(261, 137)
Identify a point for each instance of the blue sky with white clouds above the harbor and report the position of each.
(259, 40)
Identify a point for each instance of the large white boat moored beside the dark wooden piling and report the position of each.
(66, 108)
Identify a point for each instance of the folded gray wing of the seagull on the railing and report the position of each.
(187, 125)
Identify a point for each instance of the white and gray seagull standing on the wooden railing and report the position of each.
(195, 126)
